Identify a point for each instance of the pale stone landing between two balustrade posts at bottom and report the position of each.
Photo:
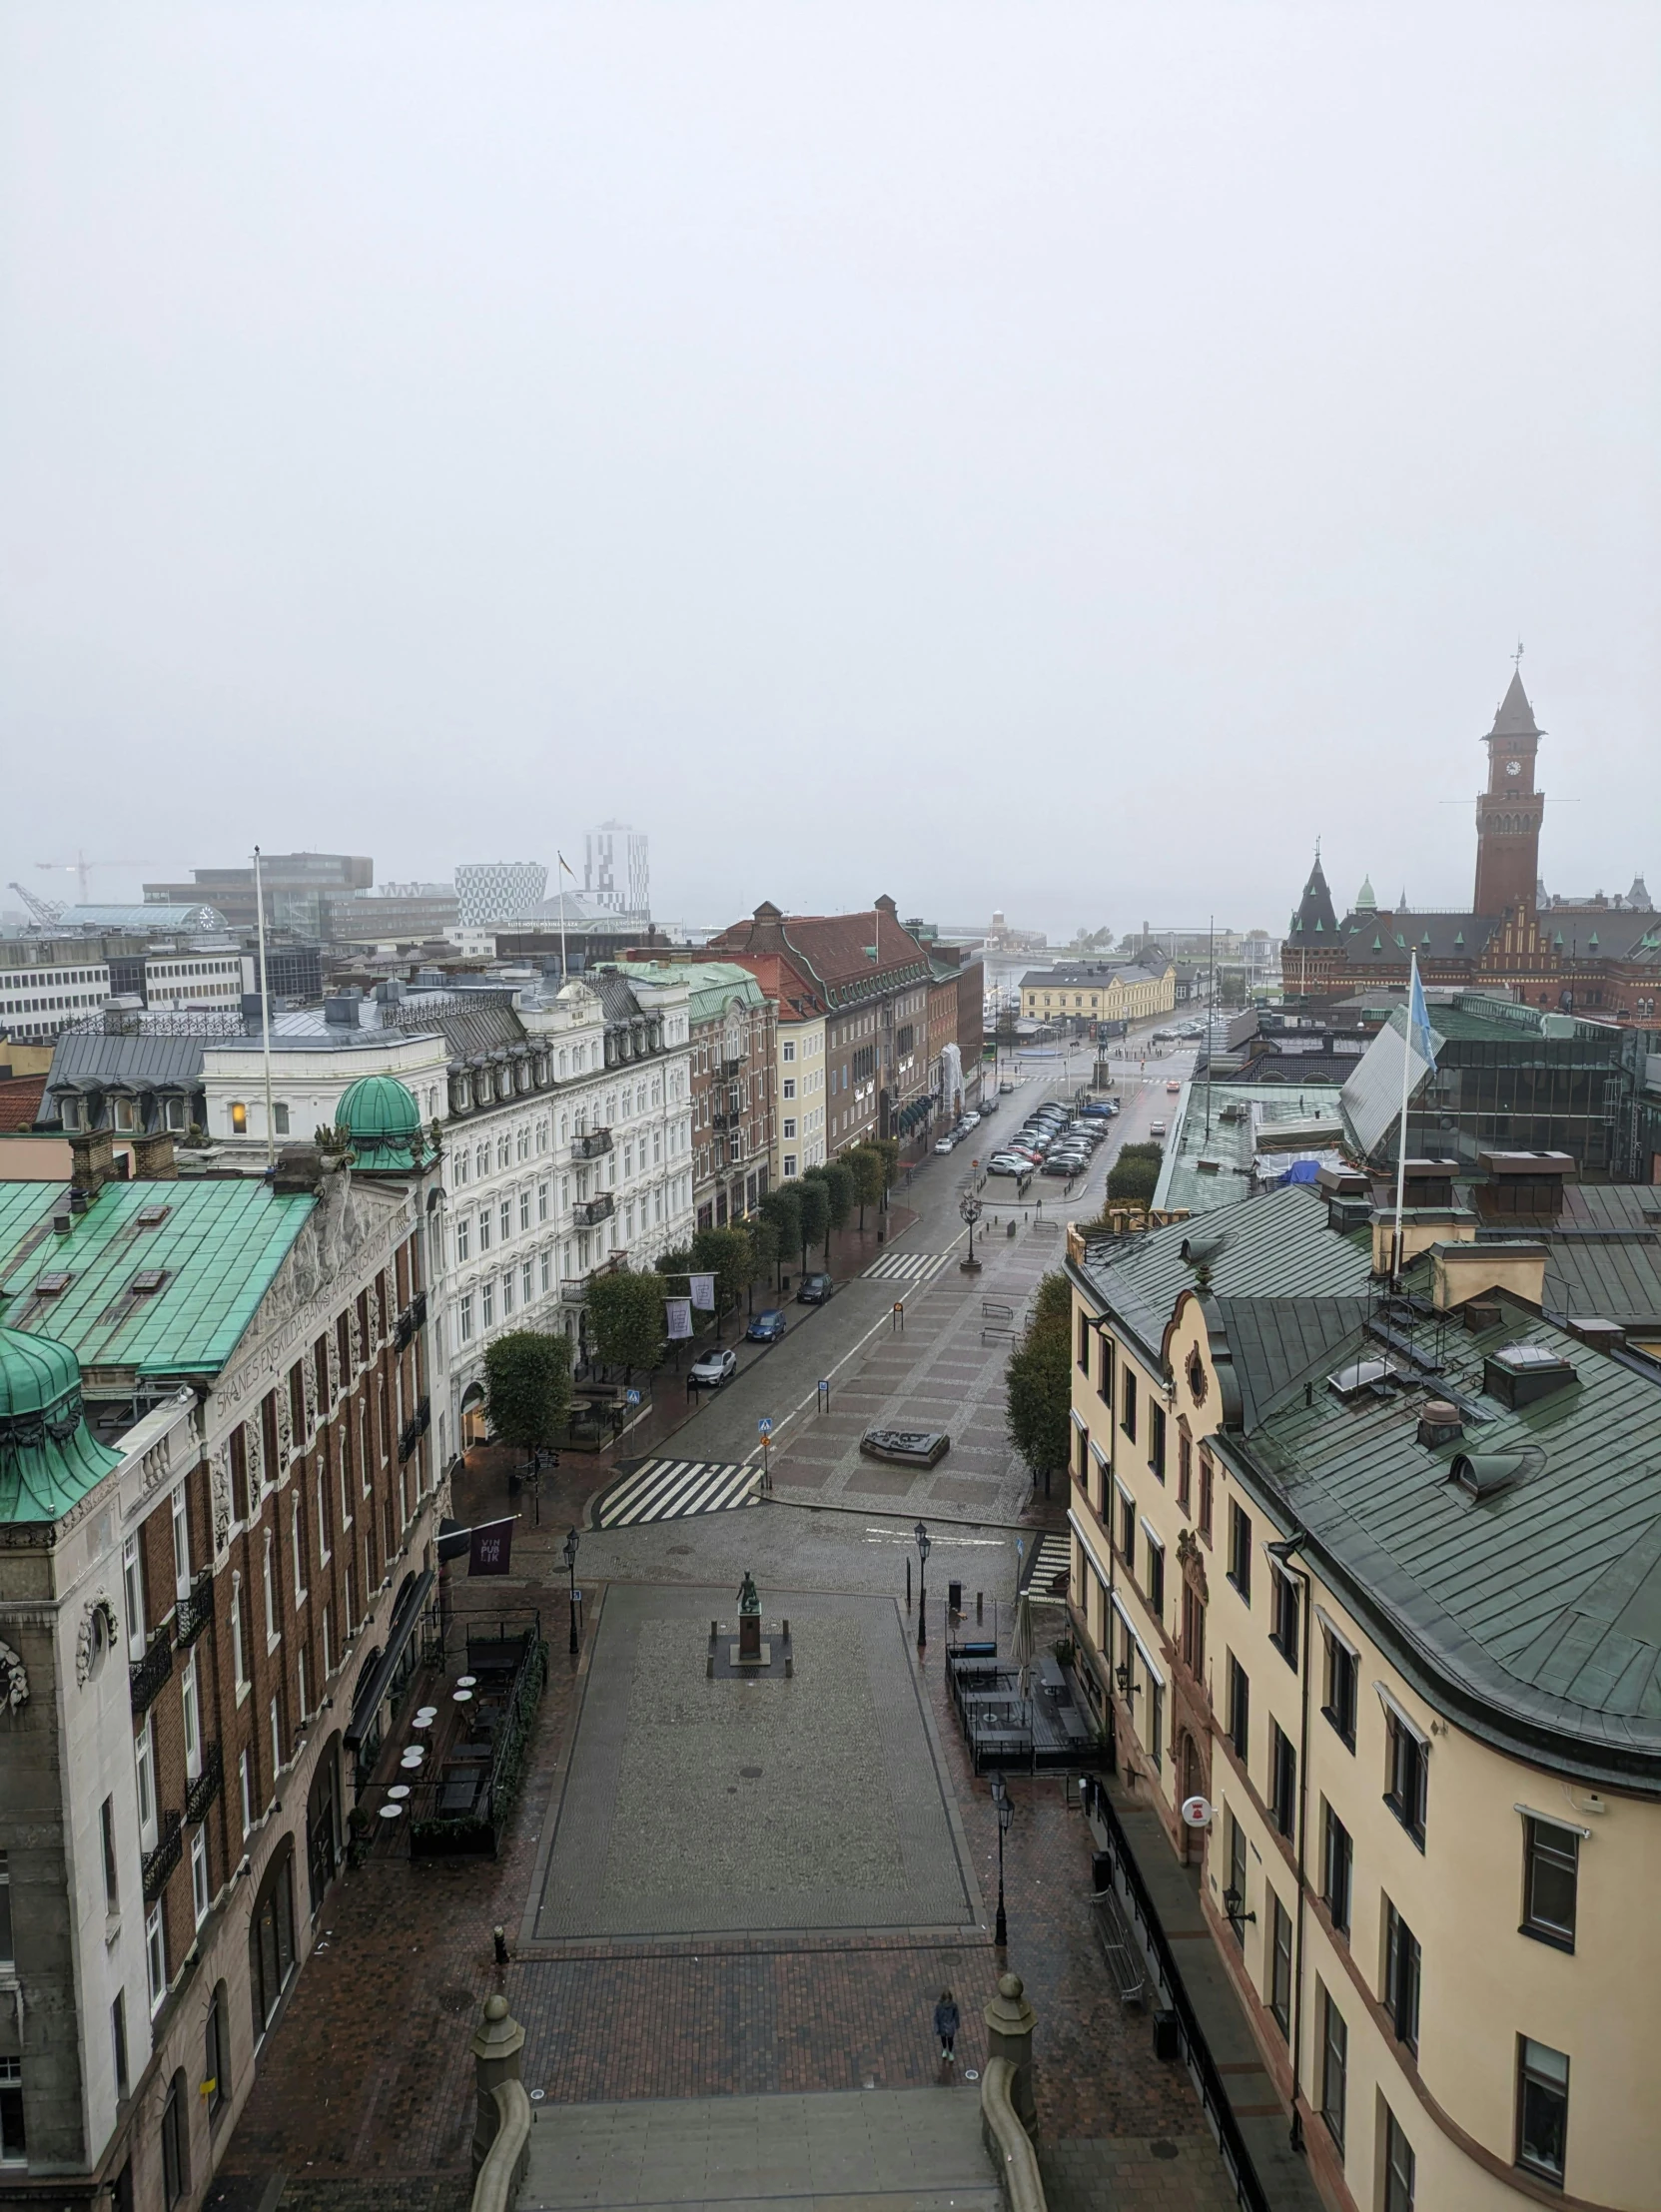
(877, 2149)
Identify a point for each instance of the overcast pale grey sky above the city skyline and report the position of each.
(1038, 457)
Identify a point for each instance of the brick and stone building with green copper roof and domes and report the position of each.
(218, 1541)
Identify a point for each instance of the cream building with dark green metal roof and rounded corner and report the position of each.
(1392, 1607)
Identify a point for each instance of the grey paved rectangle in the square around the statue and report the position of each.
(704, 1806)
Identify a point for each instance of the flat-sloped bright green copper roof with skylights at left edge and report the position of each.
(156, 1277)
